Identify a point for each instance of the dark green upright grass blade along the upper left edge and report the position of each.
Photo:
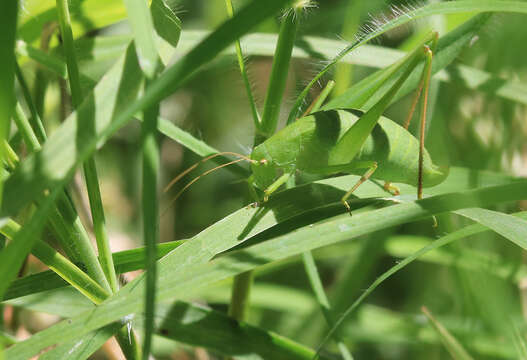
(8, 24)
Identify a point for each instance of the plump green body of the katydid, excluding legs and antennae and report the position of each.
(309, 145)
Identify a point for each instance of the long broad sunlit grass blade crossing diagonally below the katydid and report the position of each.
(339, 228)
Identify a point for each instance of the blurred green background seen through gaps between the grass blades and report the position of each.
(468, 128)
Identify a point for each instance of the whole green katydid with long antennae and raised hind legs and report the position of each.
(348, 141)
